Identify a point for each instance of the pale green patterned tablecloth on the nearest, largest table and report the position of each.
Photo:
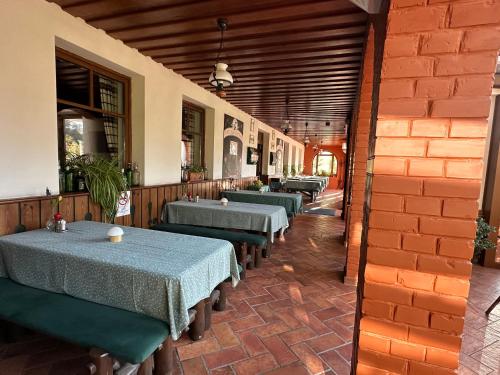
(155, 273)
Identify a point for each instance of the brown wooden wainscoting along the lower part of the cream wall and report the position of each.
(146, 204)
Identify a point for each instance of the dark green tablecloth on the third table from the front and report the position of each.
(291, 202)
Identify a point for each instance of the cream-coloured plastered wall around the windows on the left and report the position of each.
(29, 32)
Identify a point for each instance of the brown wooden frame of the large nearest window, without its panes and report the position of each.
(99, 69)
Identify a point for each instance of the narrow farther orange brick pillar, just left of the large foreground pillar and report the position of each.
(361, 132)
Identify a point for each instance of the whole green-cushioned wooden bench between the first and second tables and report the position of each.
(248, 246)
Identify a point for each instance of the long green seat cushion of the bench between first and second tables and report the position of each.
(249, 238)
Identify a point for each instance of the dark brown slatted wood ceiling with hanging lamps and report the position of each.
(306, 51)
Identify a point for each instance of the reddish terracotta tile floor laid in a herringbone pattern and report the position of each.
(292, 316)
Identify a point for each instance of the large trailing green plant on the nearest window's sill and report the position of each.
(104, 180)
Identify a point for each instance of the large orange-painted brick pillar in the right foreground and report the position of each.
(437, 76)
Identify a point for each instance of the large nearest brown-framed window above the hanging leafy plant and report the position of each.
(92, 109)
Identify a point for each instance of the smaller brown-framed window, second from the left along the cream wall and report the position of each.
(193, 135)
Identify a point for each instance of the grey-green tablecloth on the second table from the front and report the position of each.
(236, 215)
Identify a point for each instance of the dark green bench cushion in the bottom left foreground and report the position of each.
(126, 335)
